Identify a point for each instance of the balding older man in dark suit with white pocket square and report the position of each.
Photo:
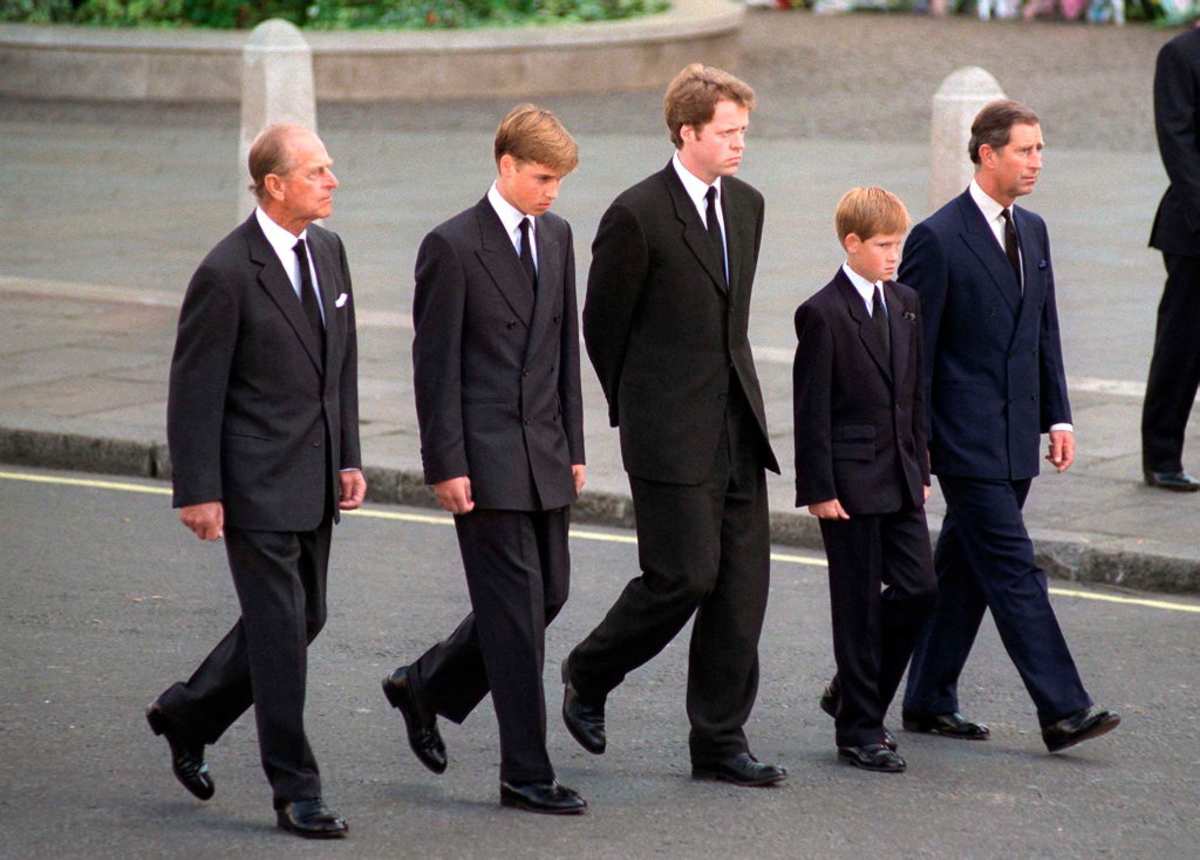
(263, 426)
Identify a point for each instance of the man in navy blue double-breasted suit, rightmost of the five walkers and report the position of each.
(997, 382)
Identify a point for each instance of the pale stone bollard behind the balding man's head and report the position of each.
(277, 87)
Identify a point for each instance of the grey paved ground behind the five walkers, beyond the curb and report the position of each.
(110, 208)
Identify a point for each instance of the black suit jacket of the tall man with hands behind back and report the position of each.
(668, 339)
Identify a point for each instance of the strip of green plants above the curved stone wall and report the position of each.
(323, 15)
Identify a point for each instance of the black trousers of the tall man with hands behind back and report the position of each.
(704, 550)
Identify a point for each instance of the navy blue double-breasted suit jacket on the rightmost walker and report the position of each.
(994, 368)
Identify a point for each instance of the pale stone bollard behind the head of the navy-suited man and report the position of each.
(958, 100)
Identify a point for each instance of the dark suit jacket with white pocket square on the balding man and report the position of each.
(250, 412)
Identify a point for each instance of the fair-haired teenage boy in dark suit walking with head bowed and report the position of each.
(496, 365)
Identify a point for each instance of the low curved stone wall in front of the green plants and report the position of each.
(98, 64)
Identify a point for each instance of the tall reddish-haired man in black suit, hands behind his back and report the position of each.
(665, 326)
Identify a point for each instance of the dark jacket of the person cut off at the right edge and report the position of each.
(1177, 228)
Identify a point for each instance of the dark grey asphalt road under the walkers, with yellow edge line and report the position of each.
(109, 600)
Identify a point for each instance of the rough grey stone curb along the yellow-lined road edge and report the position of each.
(1071, 558)
